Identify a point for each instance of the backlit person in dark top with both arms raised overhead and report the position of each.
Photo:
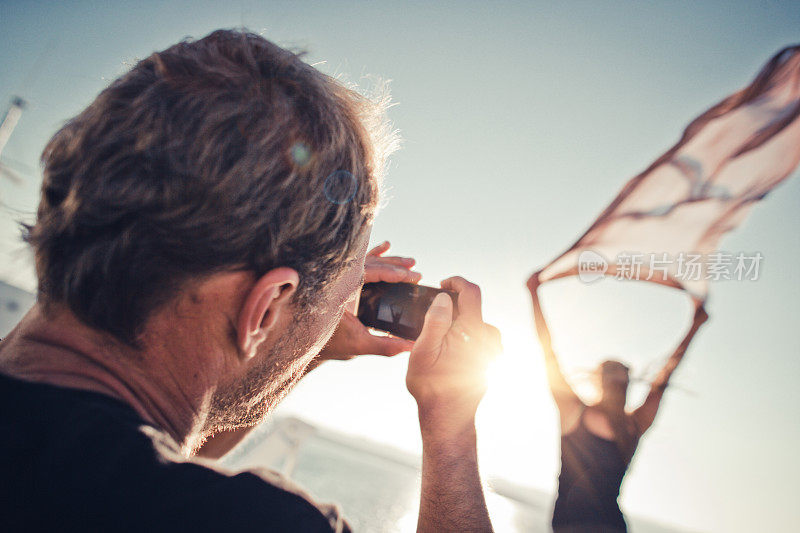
(598, 440)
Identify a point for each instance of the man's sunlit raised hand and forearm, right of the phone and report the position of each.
(447, 377)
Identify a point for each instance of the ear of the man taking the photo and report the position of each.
(262, 306)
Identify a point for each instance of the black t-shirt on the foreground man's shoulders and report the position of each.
(74, 460)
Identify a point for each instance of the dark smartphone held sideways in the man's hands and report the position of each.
(398, 308)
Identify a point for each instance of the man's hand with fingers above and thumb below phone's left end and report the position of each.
(351, 337)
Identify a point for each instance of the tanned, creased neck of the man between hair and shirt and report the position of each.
(58, 349)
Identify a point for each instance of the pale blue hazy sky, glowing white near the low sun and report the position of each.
(521, 122)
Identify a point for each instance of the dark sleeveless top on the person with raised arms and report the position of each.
(592, 469)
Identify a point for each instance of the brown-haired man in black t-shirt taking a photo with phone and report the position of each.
(200, 241)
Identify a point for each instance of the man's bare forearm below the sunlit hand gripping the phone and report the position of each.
(452, 496)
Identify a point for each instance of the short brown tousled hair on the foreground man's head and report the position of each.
(224, 153)
